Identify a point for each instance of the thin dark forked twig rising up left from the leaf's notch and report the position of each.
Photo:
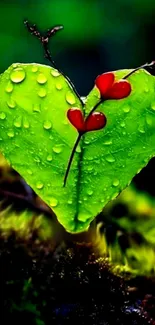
(45, 42)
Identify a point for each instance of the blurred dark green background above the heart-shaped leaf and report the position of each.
(98, 35)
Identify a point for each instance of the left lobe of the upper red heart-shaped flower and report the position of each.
(104, 82)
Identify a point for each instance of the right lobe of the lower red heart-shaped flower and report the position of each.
(95, 121)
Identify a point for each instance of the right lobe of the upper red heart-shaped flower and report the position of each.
(119, 90)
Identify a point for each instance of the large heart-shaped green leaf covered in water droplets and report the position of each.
(37, 139)
